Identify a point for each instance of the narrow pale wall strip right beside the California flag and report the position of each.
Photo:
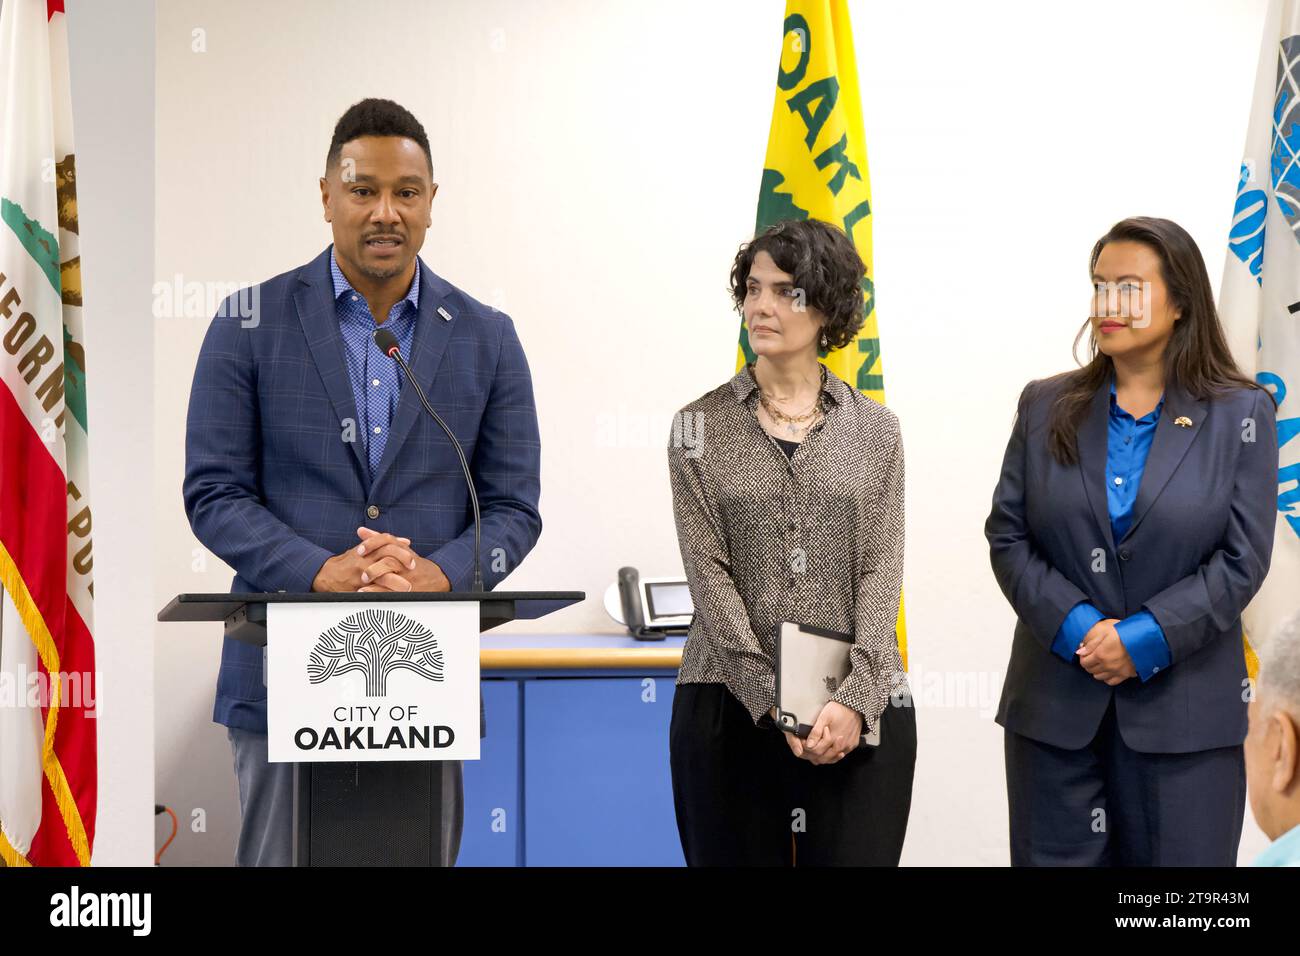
(112, 84)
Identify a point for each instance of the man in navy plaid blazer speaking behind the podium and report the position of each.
(310, 468)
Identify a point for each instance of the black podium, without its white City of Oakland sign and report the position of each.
(374, 814)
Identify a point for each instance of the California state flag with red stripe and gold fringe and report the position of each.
(47, 657)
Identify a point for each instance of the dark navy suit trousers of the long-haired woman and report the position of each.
(1110, 806)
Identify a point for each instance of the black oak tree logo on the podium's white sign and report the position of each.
(375, 643)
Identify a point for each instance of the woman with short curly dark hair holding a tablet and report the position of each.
(788, 498)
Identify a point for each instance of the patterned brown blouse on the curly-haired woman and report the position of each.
(816, 539)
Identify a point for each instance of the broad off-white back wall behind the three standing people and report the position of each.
(599, 166)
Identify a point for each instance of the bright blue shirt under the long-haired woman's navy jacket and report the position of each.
(1128, 445)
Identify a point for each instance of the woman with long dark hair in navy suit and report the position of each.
(1132, 525)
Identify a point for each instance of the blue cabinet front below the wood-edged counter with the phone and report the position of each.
(574, 773)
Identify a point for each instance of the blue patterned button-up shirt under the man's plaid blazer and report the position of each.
(376, 379)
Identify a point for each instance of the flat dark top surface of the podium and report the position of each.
(219, 607)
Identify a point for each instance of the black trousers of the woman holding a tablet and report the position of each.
(744, 799)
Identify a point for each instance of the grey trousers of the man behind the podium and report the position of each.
(267, 804)
